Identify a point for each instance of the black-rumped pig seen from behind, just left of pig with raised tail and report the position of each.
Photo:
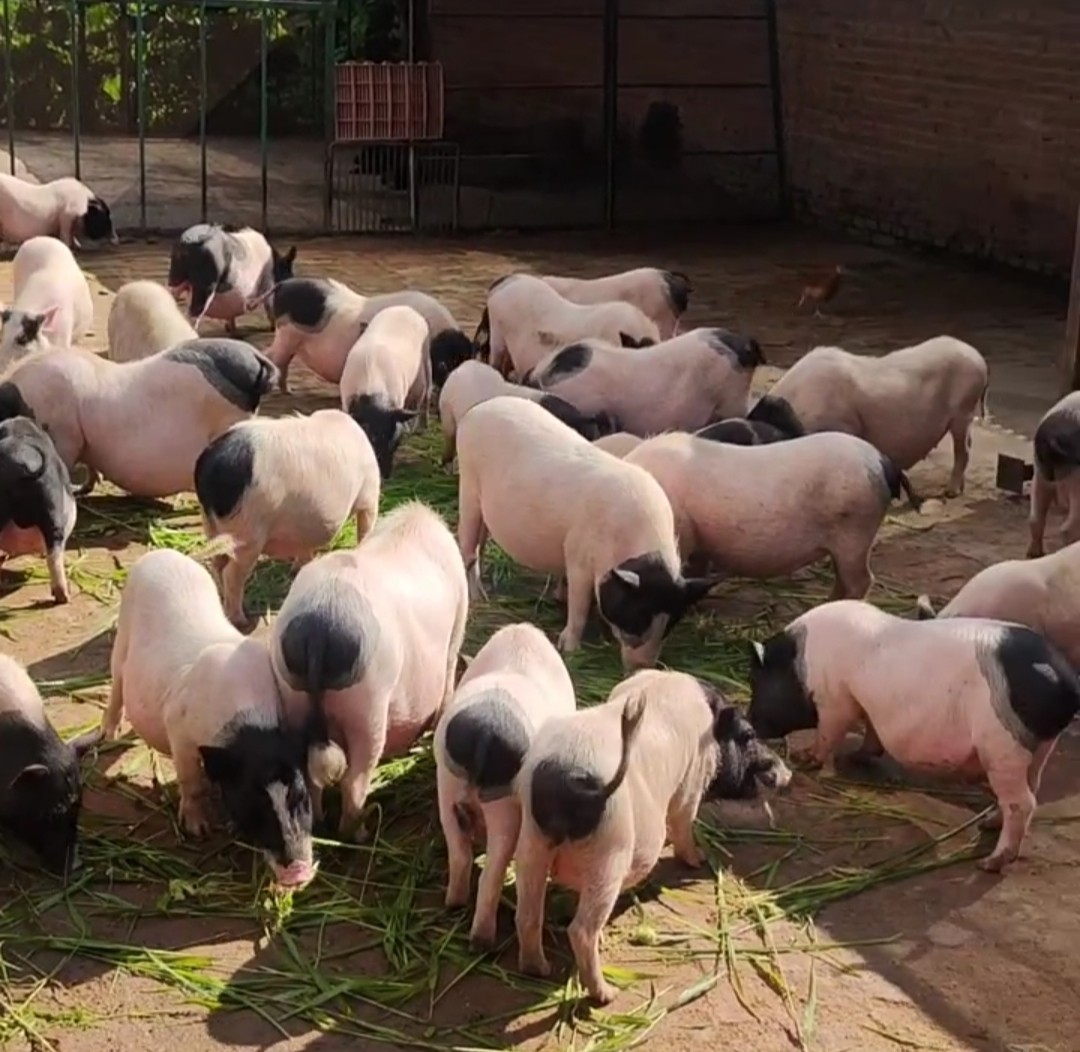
(515, 685)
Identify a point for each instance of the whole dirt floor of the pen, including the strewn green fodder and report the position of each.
(900, 952)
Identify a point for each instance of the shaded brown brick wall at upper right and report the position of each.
(953, 123)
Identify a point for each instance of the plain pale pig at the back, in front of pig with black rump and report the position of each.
(528, 320)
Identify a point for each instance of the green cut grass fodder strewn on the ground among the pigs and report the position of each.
(369, 950)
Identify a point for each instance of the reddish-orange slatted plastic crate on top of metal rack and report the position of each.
(389, 101)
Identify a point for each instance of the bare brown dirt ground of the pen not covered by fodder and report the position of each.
(947, 961)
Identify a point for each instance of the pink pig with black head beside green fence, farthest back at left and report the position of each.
(64, 209)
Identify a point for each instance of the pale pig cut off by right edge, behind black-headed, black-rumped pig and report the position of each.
(1043, 595)
